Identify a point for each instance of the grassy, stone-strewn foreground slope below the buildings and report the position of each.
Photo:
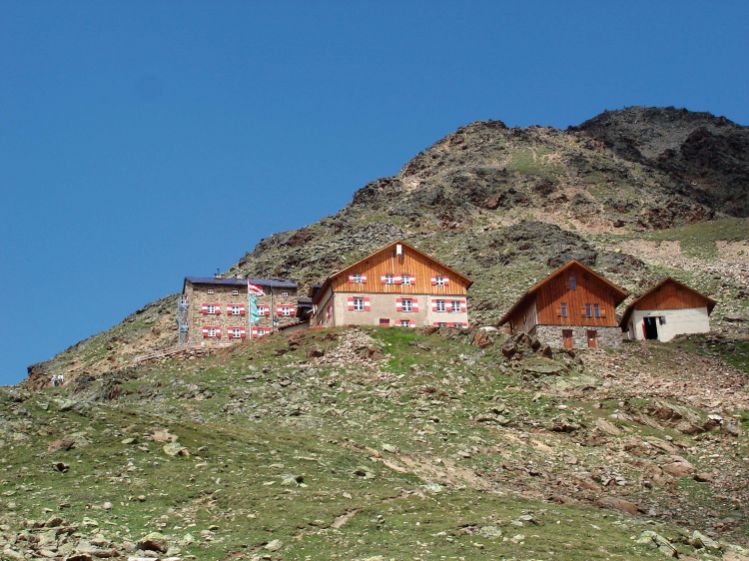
(386, 444)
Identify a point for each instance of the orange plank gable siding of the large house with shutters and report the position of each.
(386, 262)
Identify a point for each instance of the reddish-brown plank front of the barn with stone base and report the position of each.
(589, 290)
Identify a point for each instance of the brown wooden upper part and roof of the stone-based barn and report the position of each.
(549, 294)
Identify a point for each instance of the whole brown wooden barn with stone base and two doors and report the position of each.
(574, 307)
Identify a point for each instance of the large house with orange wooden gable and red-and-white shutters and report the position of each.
(398, 286)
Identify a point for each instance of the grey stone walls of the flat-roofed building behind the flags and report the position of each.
(223, 296)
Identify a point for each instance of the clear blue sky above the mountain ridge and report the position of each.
(143, 141)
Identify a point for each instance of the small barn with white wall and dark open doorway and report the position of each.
(668, 309)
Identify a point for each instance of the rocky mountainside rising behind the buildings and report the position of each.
(505, 205)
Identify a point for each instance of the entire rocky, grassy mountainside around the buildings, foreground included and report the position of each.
(377, 444)
